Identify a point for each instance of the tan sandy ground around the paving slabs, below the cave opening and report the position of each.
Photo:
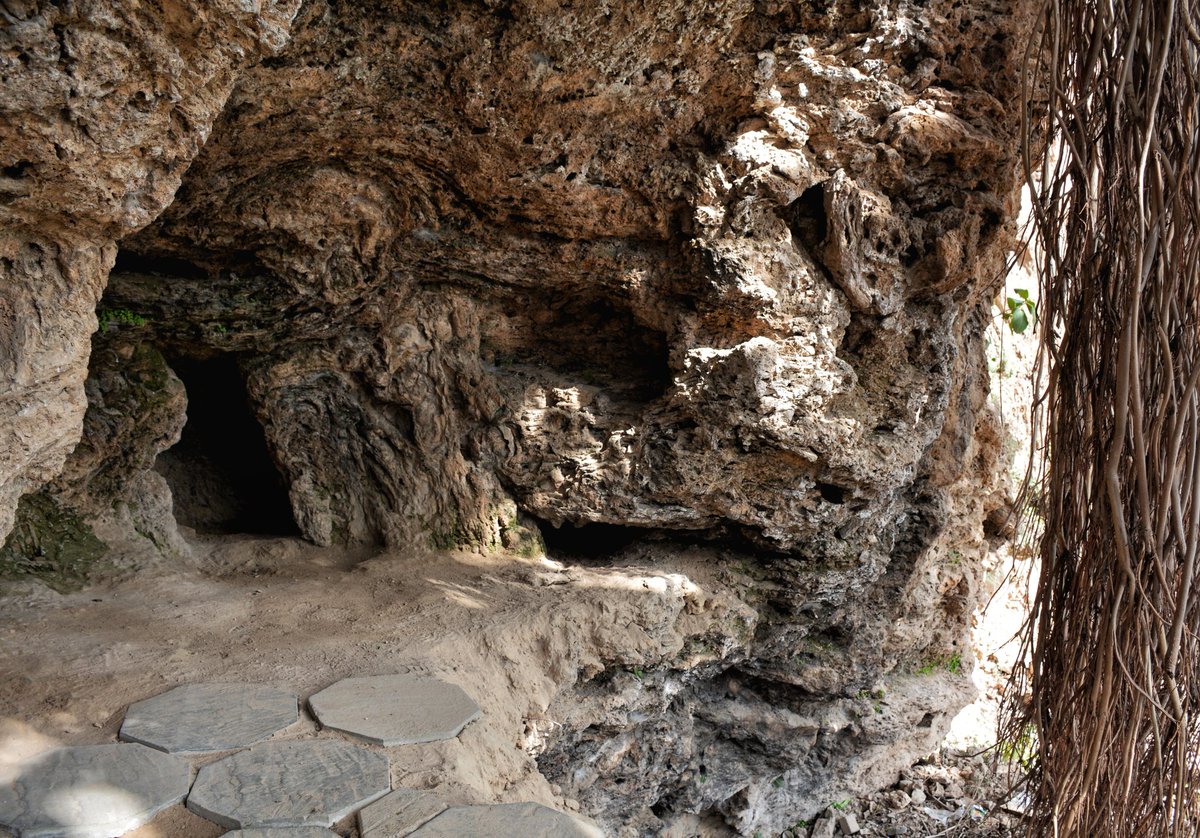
(511, 632)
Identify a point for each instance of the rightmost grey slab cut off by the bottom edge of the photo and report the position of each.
(508, 821)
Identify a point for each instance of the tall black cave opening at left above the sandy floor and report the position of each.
(221, 472)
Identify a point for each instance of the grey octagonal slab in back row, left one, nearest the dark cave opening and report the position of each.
(197, 719)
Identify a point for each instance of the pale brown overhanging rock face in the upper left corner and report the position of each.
(103, 107)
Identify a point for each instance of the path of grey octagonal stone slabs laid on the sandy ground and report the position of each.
(291, 789)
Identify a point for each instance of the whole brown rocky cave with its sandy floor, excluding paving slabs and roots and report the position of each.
(436, 276)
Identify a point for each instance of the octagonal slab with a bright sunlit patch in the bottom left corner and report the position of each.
(92, 792)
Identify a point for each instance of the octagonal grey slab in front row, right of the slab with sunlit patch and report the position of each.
(310, 783)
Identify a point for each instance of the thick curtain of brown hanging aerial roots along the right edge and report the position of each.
(1113, 653)
